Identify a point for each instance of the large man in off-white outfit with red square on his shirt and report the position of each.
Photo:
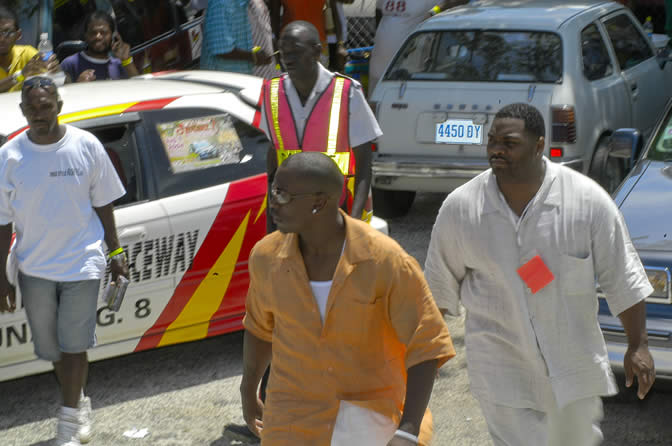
(520, 245)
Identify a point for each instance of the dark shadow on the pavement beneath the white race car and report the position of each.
(127, 378)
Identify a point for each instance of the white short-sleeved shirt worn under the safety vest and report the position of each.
(363, 126)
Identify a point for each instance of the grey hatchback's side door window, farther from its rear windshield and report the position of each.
(629, 44)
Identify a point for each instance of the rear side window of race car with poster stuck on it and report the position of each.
(197, 148)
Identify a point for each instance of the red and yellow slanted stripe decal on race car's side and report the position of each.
(209, 304)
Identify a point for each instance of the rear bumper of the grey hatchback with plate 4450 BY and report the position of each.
(433, 176)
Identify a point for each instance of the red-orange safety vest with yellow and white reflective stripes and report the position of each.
(327, 130)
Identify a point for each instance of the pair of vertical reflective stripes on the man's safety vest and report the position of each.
(342, 159)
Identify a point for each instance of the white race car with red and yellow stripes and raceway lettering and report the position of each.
(187, 222)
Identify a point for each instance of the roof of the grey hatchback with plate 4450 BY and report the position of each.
(516, 14)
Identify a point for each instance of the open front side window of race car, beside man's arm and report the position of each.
(120, 145)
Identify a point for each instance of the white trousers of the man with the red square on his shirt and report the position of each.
(577, 424)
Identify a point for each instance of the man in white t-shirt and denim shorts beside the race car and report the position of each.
(57, 186)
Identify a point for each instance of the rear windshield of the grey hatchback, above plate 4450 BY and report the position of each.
(480, 56)
